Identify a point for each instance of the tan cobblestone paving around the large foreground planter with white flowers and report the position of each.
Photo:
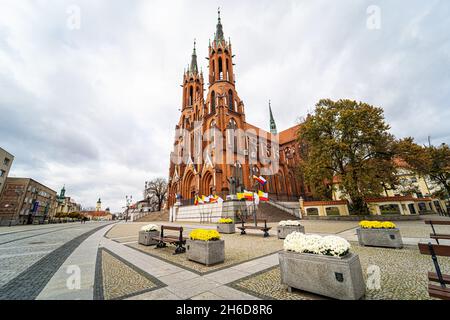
(403, 276)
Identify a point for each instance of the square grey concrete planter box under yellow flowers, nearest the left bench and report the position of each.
(206, 252)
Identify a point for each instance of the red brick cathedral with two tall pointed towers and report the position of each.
(228, 167)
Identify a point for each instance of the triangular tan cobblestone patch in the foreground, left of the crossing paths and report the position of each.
(120, 279)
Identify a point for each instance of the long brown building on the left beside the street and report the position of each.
(26, 201)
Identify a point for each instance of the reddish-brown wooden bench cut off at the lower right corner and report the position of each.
(439, 290)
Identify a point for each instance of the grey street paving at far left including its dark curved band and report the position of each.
(29, 255)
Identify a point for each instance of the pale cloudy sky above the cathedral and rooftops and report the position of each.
(93, 106)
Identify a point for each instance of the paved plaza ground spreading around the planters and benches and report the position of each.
(103, 261)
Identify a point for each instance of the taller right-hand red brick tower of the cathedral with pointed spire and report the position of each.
(226, 113)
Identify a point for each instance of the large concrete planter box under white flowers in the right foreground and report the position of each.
(334, 277)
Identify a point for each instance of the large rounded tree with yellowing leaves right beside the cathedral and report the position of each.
(347, 143)
